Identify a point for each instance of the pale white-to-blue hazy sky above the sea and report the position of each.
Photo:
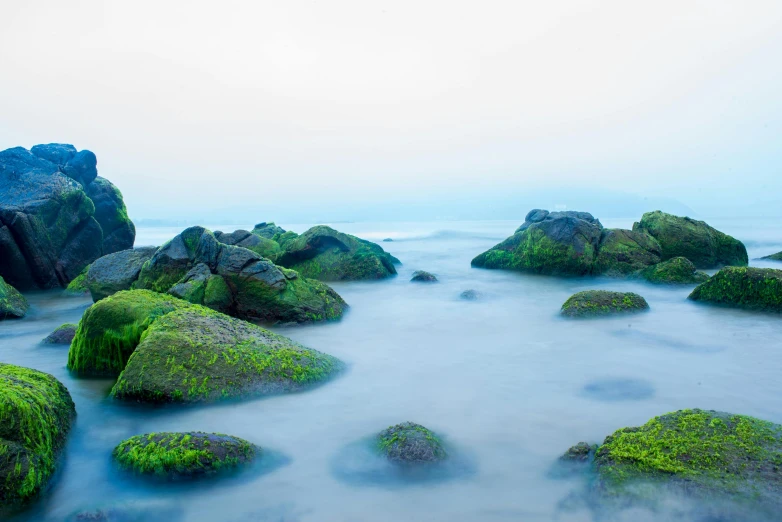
(195, 108)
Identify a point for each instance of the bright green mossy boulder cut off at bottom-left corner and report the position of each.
(36, 413)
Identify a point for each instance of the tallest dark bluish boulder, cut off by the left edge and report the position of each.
(52, 213)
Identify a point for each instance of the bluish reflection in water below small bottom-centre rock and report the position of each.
(360, 464)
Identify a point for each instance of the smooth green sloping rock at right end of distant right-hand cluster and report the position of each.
(702, 244)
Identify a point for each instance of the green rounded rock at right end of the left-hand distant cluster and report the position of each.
(328, 255)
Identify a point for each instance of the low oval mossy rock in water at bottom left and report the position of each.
(184, 455)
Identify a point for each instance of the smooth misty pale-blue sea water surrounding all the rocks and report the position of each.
(507, 382)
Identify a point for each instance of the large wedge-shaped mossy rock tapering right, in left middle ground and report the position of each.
(195, 354)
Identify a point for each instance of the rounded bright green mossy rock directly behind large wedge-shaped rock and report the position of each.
(110, 329)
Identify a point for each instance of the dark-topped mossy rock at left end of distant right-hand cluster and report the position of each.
(557, 243)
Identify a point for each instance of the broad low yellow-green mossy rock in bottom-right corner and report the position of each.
(702, 452)
